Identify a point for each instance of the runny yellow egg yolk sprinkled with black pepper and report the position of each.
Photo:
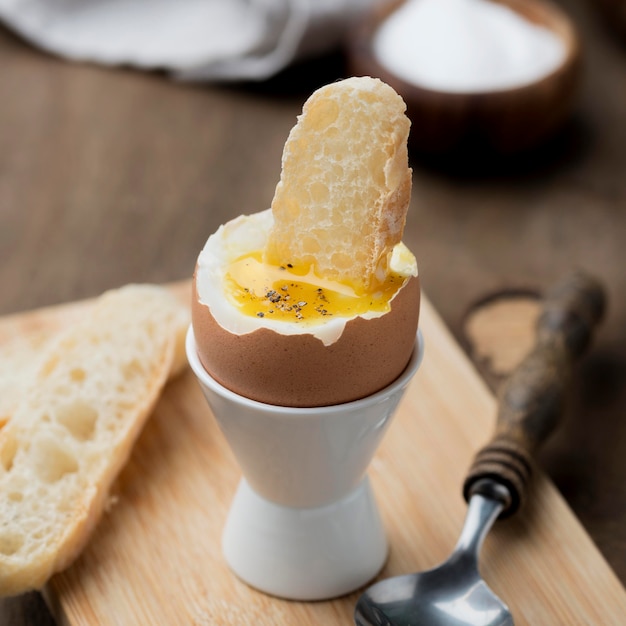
(295, 295)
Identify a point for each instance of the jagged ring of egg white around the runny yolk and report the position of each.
(249, 233)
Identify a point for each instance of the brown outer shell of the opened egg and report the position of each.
(299, 370)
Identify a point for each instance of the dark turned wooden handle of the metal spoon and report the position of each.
(531, 400)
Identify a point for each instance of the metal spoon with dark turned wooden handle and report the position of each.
(530, 404)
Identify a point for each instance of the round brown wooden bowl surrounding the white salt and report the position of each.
(495, 122)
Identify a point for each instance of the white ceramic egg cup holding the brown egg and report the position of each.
(304, 524)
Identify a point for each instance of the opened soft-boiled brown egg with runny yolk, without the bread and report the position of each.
(284, 336)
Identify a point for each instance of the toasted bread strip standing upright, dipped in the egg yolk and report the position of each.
(345, 185)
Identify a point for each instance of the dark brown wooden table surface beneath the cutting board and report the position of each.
(109, 176)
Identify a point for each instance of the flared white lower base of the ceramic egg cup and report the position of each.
(305, 554)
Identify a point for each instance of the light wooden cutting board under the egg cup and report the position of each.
(155, 558)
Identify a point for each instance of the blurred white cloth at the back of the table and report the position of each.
(193, 39)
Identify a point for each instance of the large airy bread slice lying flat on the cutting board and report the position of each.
(75, 424)
